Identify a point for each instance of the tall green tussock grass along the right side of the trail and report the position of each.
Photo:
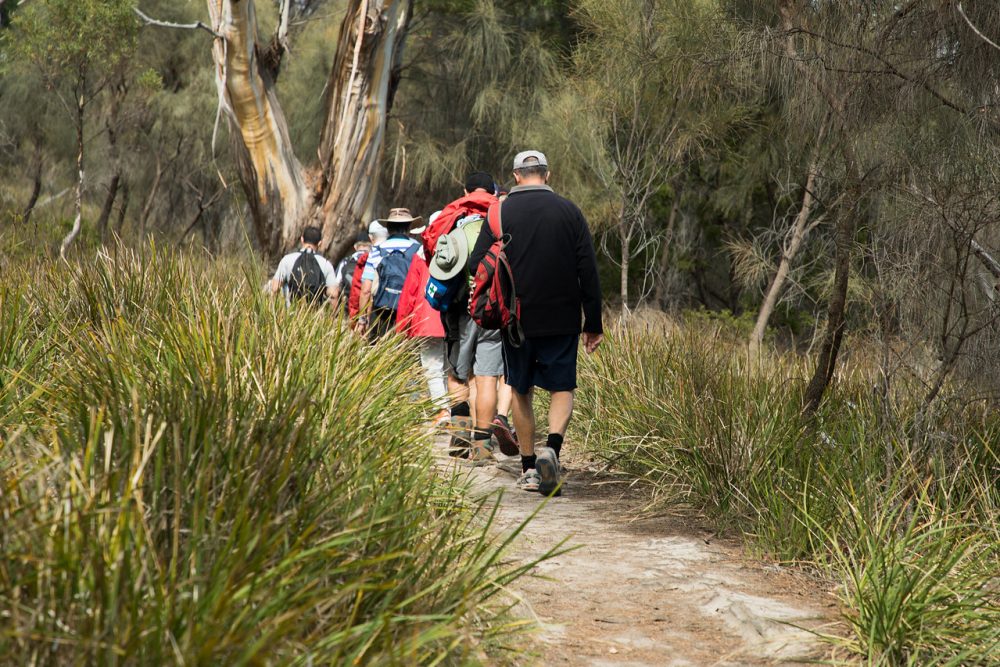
(902, 506)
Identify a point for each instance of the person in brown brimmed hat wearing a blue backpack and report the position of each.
(387, 265)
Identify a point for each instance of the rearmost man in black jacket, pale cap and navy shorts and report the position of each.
(554, 269)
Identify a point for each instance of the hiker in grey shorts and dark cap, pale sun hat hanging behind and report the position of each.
(470, 350)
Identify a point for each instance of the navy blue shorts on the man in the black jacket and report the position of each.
(548, 362)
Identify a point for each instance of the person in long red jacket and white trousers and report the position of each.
(416, 319)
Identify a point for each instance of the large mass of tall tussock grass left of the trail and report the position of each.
(193, 474)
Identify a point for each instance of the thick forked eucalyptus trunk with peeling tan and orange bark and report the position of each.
(338, 193)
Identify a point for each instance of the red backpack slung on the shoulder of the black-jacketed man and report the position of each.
(493, 303)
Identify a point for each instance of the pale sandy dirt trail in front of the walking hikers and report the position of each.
(658, 591)
